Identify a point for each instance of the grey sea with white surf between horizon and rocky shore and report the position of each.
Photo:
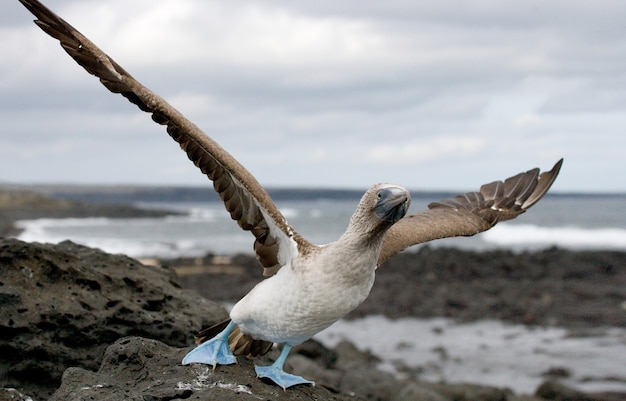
(574, 221)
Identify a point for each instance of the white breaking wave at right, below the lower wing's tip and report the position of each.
(566, 236)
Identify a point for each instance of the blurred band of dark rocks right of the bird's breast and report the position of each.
(548, 287)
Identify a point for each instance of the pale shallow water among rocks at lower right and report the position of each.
(488, 352)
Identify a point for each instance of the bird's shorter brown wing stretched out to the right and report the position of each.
(471, 213)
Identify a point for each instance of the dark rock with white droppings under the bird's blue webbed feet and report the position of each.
(136, 368)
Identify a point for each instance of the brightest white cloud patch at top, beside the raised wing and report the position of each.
(227, 35)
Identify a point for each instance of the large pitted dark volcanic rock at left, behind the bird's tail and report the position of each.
(62, 305)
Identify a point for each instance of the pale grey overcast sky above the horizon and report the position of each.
(430, 95)
